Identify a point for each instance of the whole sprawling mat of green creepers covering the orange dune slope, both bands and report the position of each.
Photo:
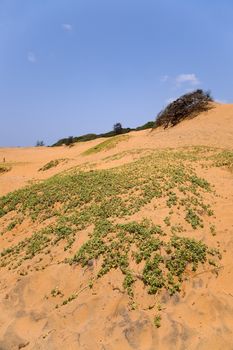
(105, 201)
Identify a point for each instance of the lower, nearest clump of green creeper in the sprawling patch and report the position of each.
(165, 261)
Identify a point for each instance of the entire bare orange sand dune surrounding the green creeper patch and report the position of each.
(201, 317)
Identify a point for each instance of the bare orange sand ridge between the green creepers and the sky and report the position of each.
(212, 128)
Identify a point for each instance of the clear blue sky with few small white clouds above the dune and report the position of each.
(70, 67)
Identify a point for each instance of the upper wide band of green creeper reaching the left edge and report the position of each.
(115, 192)
